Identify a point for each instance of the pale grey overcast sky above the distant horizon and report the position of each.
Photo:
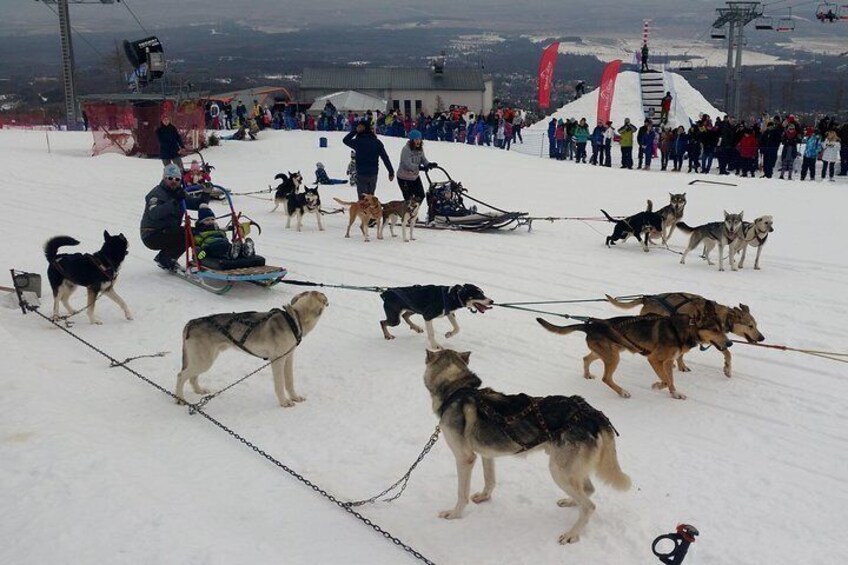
(676, 18)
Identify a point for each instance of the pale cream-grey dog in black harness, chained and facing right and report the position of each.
(272, 335)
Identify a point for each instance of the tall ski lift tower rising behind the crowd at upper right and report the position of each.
(735, 17)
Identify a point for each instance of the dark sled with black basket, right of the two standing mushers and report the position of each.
(446, 209)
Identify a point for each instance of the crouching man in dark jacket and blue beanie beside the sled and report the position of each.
(161, 223)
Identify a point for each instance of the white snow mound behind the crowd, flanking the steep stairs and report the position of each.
(689, 103)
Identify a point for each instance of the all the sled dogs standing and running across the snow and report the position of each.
(578, 439)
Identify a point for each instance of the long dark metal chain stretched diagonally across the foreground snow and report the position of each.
(198, 410)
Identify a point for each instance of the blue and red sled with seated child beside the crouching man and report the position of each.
(219, 275)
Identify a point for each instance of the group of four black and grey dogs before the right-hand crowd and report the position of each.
(733, 233)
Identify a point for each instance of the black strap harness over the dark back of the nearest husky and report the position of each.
(531, 421)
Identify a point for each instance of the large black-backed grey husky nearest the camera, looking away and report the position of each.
(579, 439)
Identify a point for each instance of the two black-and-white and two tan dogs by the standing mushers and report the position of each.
(368, 210)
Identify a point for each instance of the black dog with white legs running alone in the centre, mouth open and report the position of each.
(431, 302)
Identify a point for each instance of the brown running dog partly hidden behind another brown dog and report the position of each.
(734, 319)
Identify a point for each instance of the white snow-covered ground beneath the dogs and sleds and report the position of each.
(99, 467)
